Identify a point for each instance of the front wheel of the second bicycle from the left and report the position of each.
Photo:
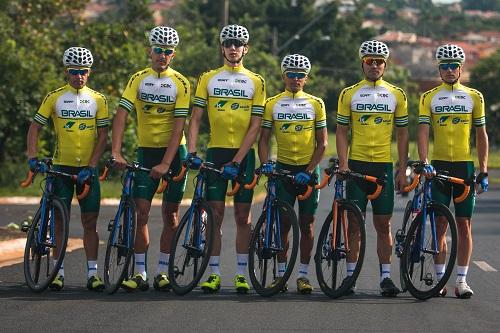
(120, 247)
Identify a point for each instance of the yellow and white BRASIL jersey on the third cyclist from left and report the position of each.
(232, 95)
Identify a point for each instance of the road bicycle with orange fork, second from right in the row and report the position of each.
(342, 234)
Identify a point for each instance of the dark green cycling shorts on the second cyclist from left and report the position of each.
(145, 186)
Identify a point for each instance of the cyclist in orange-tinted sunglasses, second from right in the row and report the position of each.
(371, 108)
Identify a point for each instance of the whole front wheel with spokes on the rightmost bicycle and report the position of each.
(418, 259)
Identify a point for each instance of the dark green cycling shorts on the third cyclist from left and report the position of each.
(216, 187)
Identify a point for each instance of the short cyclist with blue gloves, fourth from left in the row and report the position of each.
(299, 122)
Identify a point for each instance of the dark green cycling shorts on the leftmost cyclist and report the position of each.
(64, 188)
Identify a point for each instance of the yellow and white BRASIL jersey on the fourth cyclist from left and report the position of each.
(295, 118)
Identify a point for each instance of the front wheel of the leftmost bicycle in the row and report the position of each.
(40, 269)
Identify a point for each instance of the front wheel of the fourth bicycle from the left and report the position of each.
(263, 261)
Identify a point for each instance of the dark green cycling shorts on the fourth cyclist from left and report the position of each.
(288, 191)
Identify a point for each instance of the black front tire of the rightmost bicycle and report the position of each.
(414, 262)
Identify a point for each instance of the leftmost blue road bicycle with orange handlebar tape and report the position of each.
(48, 231)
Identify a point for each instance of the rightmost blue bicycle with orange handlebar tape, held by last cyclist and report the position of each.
(421, 248)
